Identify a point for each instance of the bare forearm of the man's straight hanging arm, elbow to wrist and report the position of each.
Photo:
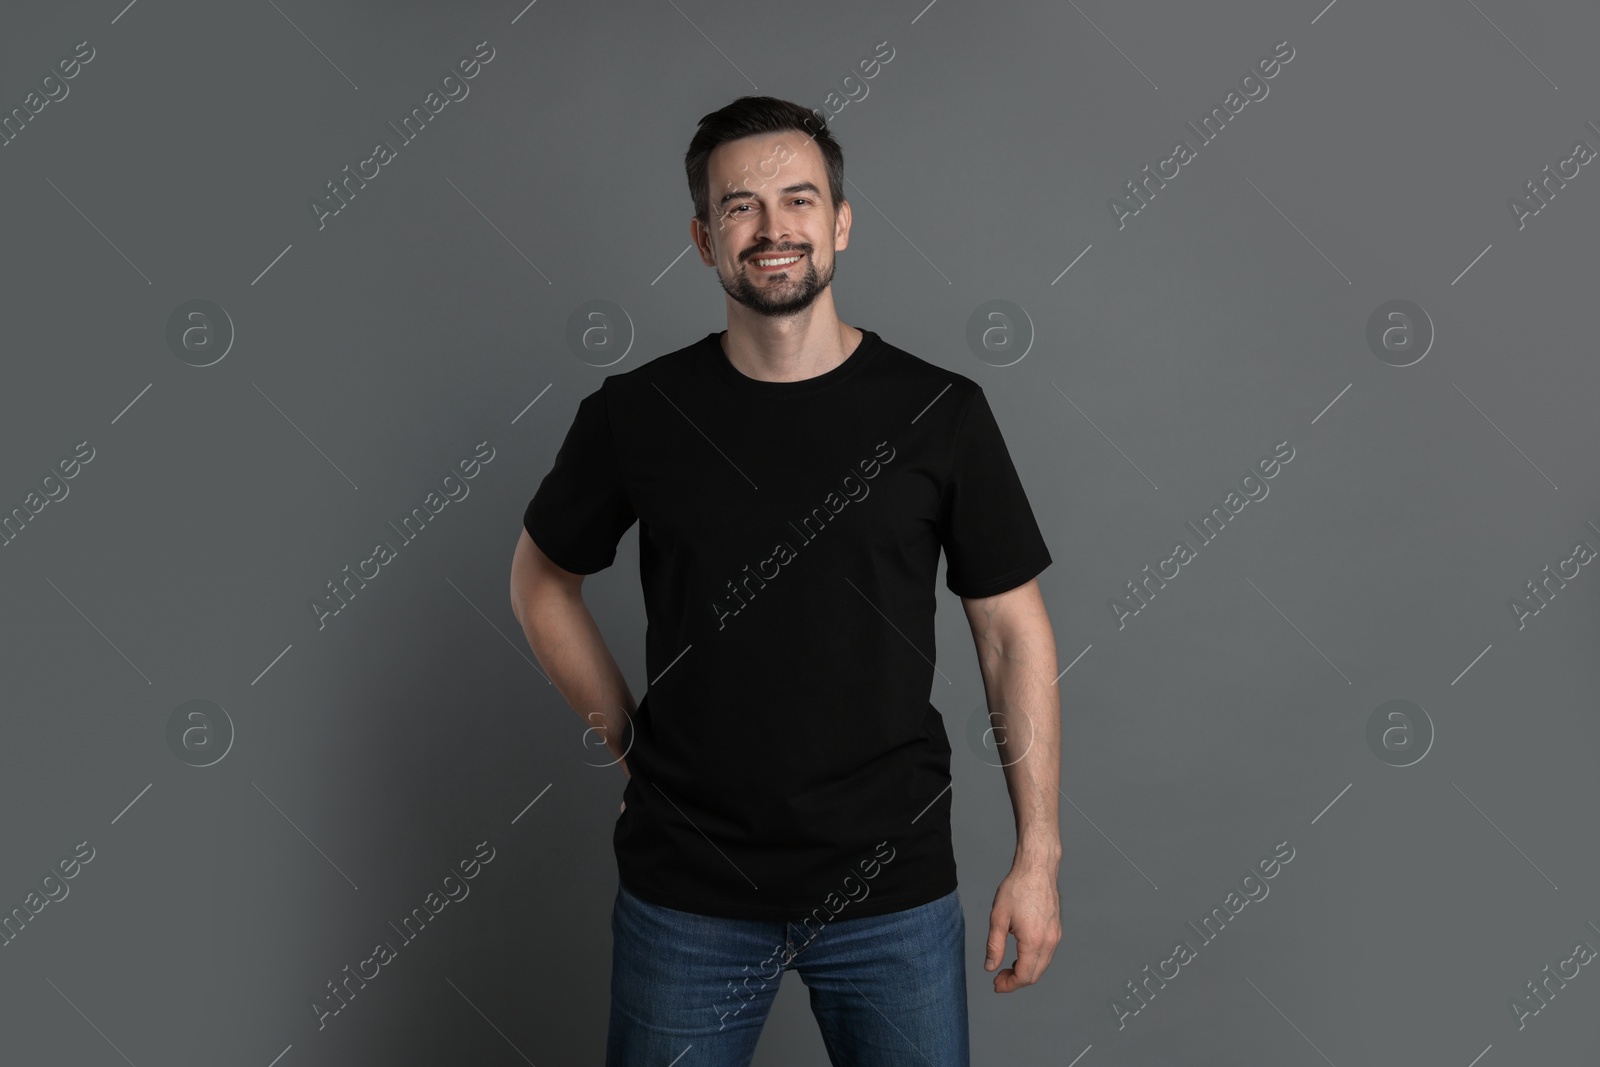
(1025, 705)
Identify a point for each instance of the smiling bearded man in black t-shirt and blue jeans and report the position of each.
(788, 804)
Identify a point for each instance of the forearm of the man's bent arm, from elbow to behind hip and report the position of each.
(567, 644)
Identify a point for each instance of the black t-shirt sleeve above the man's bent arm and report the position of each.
(582, 510)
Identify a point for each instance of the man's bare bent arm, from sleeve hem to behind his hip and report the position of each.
(564, 637)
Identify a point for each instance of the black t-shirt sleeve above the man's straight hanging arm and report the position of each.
(986, 526)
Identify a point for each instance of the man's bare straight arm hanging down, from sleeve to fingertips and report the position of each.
(1017, 655)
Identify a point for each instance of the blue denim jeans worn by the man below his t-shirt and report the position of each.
(887, 991)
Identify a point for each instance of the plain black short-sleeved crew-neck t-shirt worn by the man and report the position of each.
(786, 757)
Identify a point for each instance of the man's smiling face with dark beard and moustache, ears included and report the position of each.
(774, 231)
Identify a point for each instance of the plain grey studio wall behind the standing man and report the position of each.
(378, 351)
